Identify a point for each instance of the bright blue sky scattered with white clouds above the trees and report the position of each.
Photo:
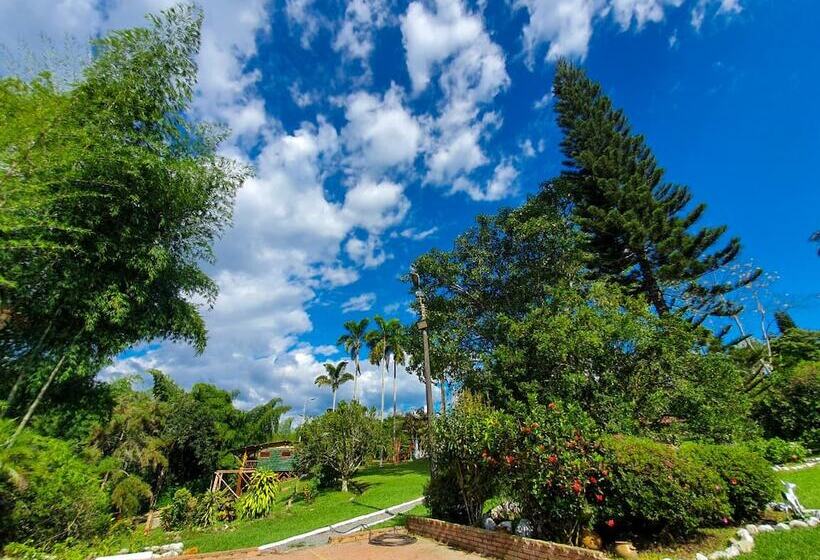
(379, 129)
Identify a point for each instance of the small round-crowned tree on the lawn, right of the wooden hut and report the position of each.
(339, 442)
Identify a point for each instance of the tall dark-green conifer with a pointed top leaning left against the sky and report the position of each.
(638, 224)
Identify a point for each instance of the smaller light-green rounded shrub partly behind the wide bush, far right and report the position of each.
(747, 477)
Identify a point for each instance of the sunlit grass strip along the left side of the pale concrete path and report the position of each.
(380, 488)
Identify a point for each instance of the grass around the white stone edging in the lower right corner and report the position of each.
(800, 544)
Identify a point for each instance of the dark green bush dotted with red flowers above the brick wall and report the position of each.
(554, 470)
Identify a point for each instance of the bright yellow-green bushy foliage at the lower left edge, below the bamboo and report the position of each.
(47, 492)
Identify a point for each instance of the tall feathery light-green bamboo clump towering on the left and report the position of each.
(136, 193)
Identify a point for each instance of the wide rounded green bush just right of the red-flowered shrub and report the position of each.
(653, 491)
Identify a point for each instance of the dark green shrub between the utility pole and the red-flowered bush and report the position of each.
(468, 449)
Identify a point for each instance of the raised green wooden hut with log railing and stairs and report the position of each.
(276, 456)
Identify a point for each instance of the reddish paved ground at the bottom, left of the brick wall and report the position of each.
(422, 549)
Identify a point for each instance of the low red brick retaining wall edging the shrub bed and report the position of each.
(496, 543)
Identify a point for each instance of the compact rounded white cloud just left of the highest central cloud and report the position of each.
(380, 132)
